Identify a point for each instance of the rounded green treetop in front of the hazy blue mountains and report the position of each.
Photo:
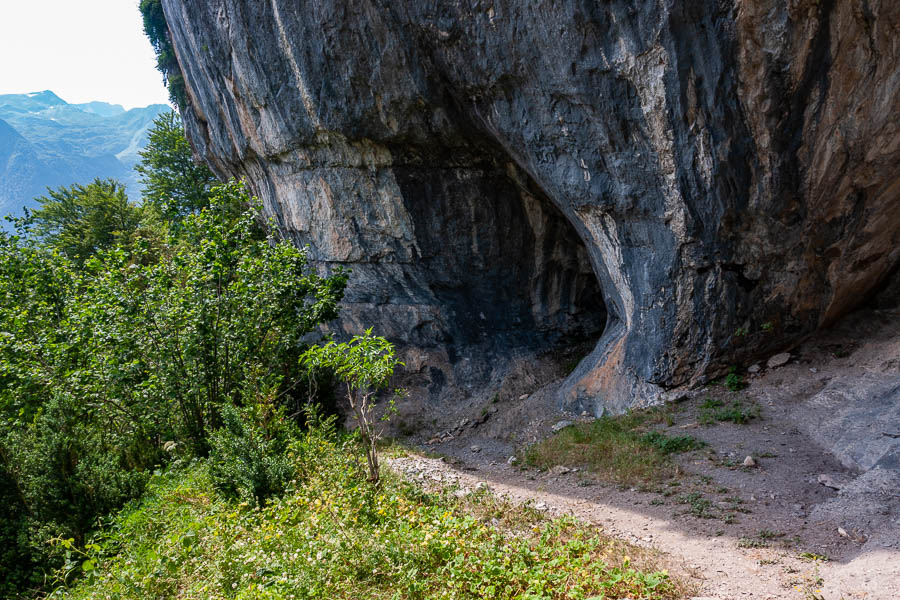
(83, 219)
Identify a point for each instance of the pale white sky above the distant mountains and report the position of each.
(81, 49)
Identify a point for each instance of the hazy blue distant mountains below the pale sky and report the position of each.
(47, 142)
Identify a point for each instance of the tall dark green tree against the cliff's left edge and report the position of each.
(173, 183)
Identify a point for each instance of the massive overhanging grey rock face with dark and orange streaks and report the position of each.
(691, 183)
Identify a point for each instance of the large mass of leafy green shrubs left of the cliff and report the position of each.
(108, 356)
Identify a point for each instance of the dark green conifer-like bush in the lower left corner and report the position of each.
(66, 473)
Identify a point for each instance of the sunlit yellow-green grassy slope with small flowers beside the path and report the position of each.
(335, 536)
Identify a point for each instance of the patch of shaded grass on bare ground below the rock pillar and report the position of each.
(619, 449)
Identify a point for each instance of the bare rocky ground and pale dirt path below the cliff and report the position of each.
(814, 512)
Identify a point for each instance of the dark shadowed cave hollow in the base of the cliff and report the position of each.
(509, 272)
